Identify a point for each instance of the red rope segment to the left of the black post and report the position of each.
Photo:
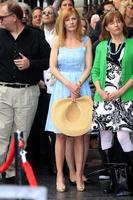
(9, 159)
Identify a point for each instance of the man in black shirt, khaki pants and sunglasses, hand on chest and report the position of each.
(24, 54)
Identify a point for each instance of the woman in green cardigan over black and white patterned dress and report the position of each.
(112, 74)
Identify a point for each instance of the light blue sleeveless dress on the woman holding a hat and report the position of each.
(71, 63)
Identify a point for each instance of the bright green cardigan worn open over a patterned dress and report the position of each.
(99, 68)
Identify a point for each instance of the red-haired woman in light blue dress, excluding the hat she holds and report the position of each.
(70, 62)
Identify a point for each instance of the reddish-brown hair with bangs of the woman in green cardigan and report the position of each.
(108, 18)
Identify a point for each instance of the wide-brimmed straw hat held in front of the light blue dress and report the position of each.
(73, 118)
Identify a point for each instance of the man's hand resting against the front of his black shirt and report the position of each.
(22, 63)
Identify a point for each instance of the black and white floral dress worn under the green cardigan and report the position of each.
(114, 115)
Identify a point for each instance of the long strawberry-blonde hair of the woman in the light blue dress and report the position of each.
(60, 25)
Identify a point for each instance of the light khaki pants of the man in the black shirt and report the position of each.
(17, 110)
